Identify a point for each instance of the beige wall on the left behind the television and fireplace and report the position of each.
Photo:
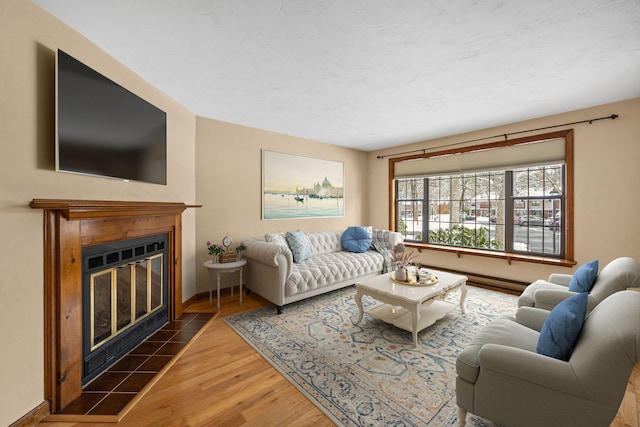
(29, 38)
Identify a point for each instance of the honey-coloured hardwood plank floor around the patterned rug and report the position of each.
(221, 381)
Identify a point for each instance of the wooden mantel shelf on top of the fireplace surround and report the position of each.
(85, 209)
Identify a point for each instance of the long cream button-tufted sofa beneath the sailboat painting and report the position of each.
(272, 274)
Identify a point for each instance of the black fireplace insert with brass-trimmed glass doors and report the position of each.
(124, 298)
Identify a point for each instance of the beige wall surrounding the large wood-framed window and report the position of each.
(607, 194)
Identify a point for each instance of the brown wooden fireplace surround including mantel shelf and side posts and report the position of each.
(69, 225)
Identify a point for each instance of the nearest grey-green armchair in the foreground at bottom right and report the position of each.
(502, 378)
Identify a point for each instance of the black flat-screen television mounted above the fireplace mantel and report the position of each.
(105, 130)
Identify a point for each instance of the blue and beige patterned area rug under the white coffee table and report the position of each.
(369, 373)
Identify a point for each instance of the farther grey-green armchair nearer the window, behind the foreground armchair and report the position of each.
(619, 274)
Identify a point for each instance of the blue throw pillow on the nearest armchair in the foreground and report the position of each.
(560, 330)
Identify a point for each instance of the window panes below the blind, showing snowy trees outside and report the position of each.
(471, 210)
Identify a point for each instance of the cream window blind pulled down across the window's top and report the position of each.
(537, 153)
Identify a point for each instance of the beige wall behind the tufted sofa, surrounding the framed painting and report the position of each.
(229, 185)
